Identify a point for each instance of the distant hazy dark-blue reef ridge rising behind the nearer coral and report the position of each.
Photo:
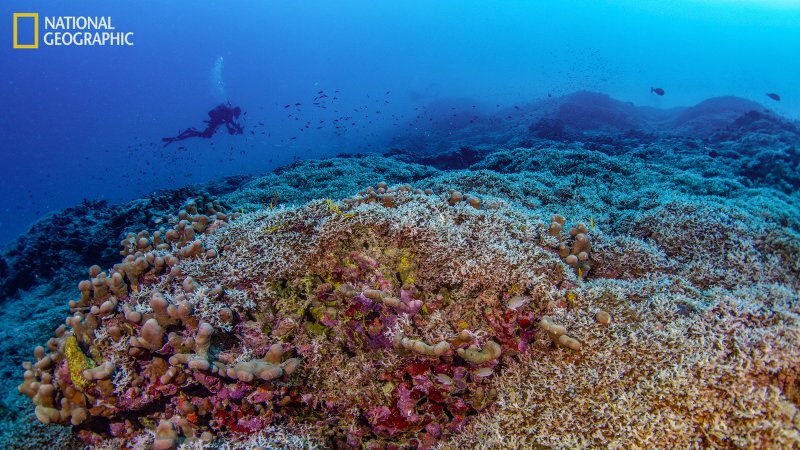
(724, 136)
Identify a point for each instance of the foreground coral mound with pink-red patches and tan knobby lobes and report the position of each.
(374, 321)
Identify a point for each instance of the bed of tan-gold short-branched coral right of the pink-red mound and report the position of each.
(729, 383)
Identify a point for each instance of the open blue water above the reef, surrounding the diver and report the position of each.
(87, 122)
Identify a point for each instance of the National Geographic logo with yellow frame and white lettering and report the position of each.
(68, 31)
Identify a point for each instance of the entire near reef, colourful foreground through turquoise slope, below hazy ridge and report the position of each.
(435, 309)
